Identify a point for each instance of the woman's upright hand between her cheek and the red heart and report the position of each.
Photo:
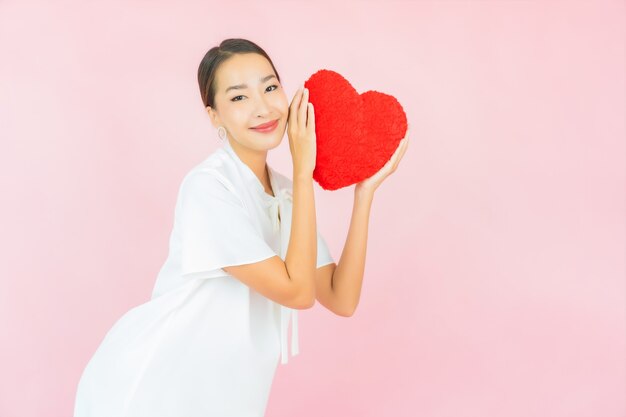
(301, 132)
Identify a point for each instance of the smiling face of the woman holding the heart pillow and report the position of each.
(259, 98)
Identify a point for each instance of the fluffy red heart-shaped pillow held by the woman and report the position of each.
(356, 133)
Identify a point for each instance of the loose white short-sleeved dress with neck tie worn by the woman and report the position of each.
(205, 344)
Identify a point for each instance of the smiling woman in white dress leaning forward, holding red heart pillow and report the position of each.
(244, 256)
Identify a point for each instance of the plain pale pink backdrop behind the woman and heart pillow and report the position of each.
(495, 278)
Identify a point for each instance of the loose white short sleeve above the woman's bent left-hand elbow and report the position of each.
(216, 229)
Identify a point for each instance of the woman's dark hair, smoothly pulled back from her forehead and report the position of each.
(217, 55)
